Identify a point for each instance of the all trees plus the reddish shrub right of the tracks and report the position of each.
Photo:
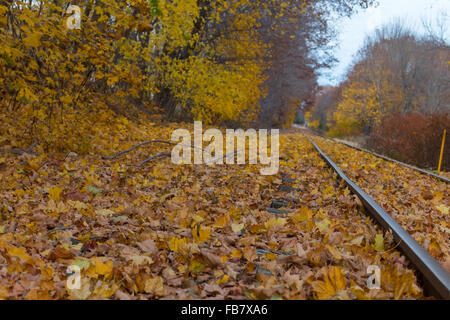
(397, 95)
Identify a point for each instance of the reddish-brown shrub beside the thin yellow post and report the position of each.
(413, 138)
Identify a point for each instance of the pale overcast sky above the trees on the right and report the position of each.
(354, 30)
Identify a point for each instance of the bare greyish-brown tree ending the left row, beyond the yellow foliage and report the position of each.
(299, 47)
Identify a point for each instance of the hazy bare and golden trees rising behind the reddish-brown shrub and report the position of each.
(396, 72)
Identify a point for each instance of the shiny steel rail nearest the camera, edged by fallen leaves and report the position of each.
(435, 278)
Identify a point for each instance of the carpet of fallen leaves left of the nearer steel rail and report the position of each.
(189, 232)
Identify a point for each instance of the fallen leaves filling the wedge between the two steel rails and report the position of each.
(419, 203)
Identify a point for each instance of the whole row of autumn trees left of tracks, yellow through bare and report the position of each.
(190, 59)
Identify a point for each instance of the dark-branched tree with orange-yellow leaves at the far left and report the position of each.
(56, 82)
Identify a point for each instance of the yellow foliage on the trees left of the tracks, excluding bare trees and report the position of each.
(61, 85)
